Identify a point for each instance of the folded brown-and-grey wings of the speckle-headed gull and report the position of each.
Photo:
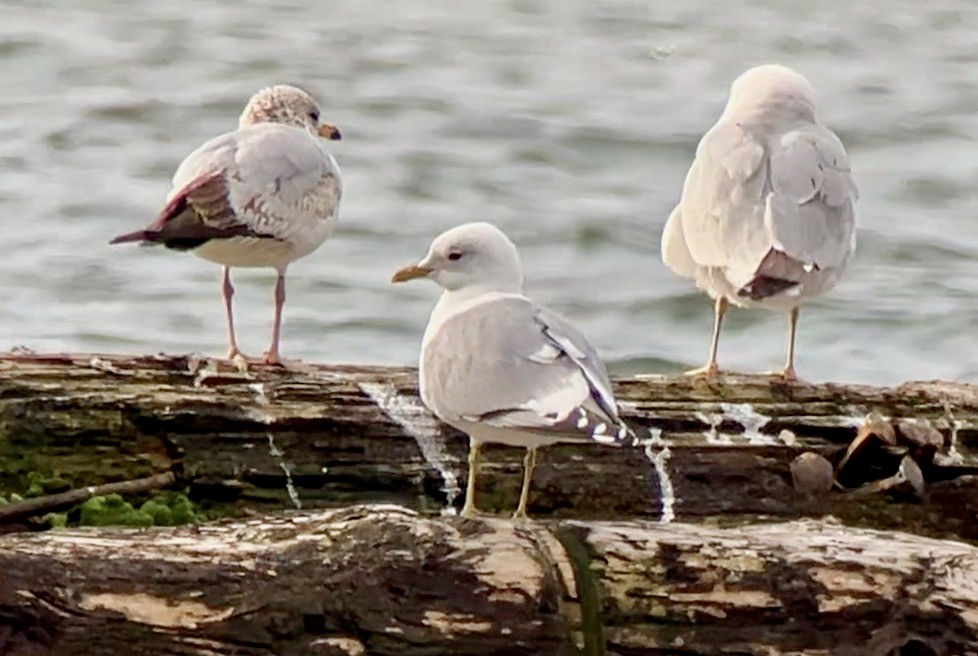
(265, 180)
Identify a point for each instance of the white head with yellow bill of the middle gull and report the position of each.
(473, 255)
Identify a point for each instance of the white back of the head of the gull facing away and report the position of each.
(771, 89)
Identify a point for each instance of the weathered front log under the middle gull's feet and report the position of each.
(385, 581)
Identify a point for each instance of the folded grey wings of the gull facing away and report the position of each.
(768, 204)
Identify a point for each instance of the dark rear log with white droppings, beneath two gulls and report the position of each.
(327, 436)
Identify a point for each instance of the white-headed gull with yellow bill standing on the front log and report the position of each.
(499, 367)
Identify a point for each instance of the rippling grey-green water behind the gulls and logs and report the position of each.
(569, 123)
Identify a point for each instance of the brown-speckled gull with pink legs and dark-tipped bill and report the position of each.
(264, 195)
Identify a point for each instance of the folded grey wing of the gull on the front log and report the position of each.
(510, 364)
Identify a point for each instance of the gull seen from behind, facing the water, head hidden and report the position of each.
(767, 214)
